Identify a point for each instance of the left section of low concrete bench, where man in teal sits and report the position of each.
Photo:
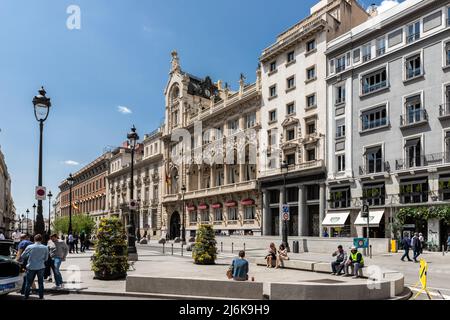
(195, 287)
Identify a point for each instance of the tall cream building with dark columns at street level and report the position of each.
(293, 118)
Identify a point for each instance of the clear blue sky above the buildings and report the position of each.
(119, 57)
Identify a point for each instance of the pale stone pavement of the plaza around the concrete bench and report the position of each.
(79, 277)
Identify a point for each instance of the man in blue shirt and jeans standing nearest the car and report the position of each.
(36, 254)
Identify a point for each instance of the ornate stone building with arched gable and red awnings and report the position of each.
(210, 147)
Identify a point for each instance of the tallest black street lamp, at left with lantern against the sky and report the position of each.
(42, 106)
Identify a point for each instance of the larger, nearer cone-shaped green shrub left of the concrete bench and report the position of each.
(110, 260)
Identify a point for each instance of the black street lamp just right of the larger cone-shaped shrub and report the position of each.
(132, 252)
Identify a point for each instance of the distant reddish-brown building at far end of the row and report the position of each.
(88, 190)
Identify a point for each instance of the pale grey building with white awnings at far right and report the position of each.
(388, 120)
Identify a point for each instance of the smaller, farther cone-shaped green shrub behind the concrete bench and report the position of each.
(204, 250)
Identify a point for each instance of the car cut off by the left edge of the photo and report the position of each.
(10, 277)
